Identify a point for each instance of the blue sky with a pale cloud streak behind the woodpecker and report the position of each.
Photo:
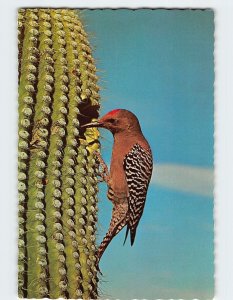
(159, 64)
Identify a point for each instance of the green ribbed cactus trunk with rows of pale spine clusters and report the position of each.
(58, 93)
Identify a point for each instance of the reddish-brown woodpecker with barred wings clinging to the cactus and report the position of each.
(129, 175)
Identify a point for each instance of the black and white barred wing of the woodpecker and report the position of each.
(138, 165)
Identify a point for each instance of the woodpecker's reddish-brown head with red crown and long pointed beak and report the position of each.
(117, 120)
